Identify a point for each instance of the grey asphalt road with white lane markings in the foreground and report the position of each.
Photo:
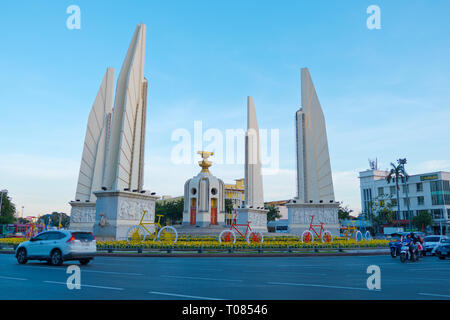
(289, 278)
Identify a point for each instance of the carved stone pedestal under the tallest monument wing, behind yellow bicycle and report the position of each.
(117, 211)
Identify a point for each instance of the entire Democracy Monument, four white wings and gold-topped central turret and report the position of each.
(110, 197)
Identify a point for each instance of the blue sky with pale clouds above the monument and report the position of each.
(384, 93)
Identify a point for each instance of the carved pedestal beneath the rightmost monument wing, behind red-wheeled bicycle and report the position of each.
(299, 216)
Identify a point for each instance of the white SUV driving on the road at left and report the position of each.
(58, 246)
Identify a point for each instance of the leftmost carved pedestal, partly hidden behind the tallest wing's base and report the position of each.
(82, 216)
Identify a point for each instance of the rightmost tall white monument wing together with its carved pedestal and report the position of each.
(315, 193)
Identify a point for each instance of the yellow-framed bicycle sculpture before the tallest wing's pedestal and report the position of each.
(141, 231)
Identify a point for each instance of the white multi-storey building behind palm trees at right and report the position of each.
(428, 192)
